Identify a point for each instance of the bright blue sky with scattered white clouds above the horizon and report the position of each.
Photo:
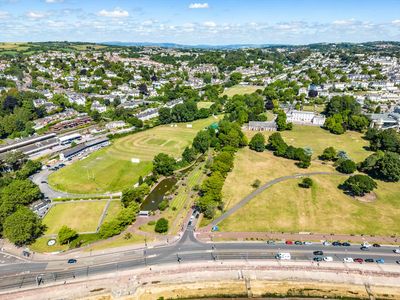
(213, 22)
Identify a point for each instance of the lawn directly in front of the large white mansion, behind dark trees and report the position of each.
(318, 139)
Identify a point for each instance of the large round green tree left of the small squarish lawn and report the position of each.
(22, 227)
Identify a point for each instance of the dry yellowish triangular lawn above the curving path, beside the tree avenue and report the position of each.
(250, 165)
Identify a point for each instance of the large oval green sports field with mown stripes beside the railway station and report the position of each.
(111, 169)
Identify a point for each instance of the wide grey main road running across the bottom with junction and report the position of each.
(186, 249)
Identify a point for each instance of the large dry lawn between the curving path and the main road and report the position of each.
(324, 208)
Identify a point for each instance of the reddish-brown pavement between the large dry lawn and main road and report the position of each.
(204, 234)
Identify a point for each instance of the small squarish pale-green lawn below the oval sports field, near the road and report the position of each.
(80, 216)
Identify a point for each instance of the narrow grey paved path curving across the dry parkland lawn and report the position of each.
(262, 188)
